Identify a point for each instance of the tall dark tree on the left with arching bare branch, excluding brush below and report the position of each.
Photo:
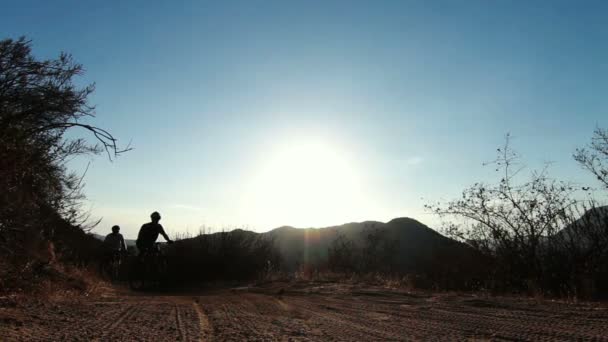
(39, 103)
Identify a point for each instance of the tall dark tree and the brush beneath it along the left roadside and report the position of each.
(41, 219)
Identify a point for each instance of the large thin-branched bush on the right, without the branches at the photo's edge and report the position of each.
(519, 221)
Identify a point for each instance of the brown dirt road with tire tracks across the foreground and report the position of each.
(318, 313)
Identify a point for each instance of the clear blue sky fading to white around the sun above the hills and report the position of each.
(258, 114)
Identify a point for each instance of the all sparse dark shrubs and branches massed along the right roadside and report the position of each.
(544, 236)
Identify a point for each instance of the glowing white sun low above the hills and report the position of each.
(307, 183)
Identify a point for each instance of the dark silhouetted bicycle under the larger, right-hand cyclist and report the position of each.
(148, 268)
